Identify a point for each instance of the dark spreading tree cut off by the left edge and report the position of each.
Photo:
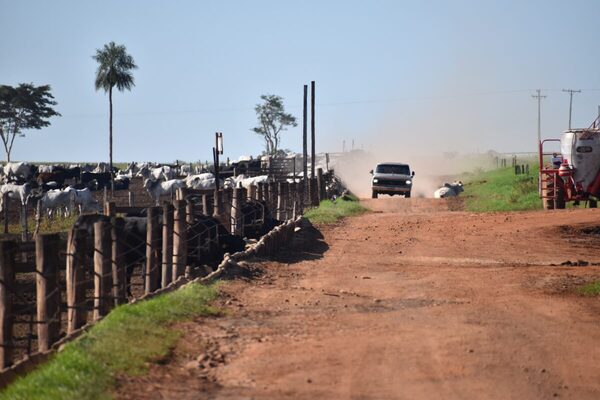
(23, 107)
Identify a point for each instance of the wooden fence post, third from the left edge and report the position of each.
(75, 276)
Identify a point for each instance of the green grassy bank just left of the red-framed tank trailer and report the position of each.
(502, 190)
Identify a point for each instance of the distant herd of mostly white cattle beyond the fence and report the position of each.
(59, 190)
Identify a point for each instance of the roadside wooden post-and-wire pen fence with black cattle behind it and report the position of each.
(54, 287)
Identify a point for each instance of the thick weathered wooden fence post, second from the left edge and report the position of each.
(47, 289)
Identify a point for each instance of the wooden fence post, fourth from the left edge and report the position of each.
(102, 269)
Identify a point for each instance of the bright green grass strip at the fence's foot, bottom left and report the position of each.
(125, 342)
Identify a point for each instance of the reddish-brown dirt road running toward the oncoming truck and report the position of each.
(410, 301)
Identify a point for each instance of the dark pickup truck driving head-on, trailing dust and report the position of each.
(392, 178)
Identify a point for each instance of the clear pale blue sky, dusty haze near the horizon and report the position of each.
(426, 76)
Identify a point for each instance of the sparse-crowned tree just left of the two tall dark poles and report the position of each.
(272, 120)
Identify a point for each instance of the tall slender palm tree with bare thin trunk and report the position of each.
(114, 69)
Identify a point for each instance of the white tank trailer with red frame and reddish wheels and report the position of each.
(574, 174)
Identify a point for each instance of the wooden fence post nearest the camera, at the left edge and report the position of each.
(7, 270)
